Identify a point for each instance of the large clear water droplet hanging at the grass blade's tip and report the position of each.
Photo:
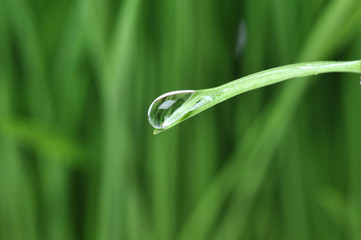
(165, 106)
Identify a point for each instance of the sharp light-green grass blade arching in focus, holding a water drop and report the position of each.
(201, 100)
